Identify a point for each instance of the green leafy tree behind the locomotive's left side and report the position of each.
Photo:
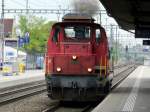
(39, 30)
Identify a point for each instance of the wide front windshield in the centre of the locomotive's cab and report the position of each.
(77, 32)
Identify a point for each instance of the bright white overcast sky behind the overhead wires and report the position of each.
(56, 4)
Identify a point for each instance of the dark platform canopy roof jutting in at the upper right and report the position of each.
(129, 14)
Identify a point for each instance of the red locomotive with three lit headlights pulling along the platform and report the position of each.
(77, 60)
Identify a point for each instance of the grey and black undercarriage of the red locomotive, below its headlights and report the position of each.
(77, 88)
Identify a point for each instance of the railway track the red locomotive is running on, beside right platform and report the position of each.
(87, 108)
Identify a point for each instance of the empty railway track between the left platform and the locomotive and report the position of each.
(15, 93)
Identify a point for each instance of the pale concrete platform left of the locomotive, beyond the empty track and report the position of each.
(22, 78)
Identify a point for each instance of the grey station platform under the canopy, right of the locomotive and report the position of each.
(132, 95)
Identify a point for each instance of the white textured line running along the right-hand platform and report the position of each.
(129, 105)
